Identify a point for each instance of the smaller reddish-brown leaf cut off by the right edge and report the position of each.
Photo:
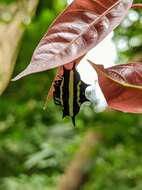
(122, 86)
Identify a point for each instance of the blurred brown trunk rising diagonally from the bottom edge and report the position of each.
(78, 169)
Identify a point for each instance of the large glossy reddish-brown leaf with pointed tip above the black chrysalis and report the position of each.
(78, 29)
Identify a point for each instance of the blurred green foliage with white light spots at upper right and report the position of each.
(128, 37)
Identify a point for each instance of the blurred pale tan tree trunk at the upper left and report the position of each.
(11, 34)
